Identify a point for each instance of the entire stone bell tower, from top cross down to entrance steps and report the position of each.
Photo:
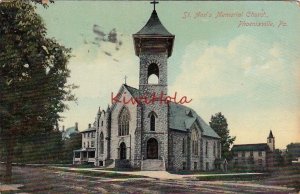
(153, 45)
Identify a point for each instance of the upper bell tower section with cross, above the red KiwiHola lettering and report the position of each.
(153, 44)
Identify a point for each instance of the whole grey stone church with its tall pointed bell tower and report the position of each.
(160, 135)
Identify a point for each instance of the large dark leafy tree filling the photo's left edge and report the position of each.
(33, 77)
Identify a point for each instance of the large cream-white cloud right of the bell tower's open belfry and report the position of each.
(214, 71)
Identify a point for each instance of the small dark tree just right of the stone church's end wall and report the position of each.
(219, 124)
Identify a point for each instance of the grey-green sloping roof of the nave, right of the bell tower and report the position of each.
(179, 120)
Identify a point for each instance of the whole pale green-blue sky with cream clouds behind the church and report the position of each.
(250, 74)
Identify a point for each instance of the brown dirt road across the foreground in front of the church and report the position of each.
(44, 180)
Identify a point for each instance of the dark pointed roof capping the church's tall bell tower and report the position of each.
(154, 27)
